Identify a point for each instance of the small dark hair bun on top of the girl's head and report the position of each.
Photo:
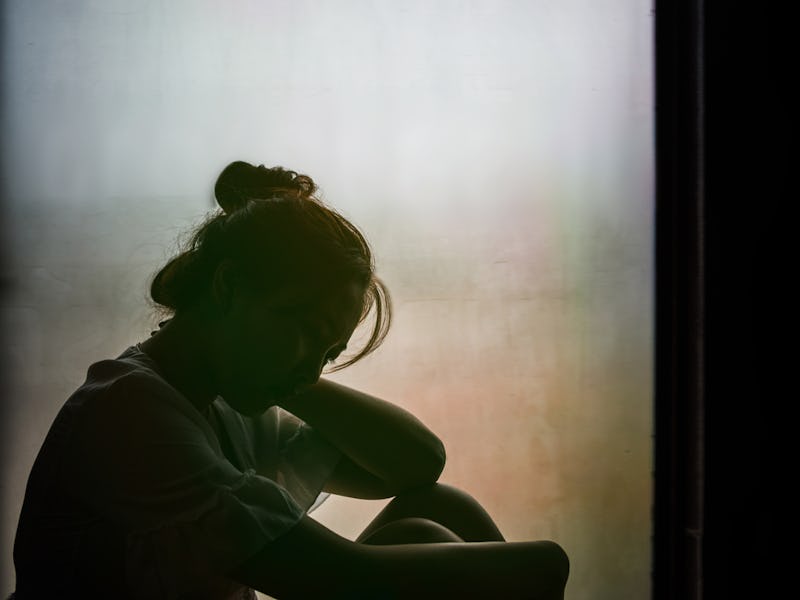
(241, 181)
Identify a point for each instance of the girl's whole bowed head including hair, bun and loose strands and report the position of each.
(283, 278)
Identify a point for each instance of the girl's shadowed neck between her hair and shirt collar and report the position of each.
(180, 351)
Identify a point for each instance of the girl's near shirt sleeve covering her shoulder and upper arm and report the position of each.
(145, 459)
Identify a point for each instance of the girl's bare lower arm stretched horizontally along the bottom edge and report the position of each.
(311, 561)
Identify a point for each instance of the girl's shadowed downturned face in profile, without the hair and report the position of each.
(278, 342)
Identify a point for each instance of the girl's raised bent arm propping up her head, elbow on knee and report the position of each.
(380, 437)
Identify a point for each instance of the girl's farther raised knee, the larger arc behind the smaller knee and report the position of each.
(452, 508)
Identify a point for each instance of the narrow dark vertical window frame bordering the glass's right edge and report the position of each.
(679, 304)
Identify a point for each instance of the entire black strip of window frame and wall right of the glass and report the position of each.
(724, 385)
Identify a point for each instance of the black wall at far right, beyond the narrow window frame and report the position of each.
(751, 351)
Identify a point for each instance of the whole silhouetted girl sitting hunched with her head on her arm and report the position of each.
(186, 467)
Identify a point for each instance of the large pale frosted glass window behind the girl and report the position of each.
(498, 155)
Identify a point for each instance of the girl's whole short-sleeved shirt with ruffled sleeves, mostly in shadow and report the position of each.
(135, 493)
